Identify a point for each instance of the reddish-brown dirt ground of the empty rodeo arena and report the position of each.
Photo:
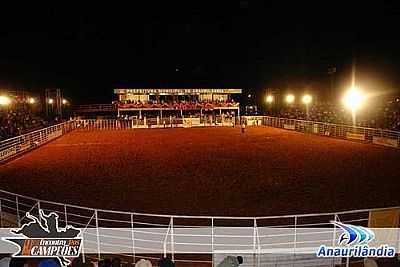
(208, 171)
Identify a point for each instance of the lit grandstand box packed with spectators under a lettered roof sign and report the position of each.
(195, 100)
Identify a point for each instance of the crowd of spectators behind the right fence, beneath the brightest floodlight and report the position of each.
(383, 116)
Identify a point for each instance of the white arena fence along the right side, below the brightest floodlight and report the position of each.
(369, 135)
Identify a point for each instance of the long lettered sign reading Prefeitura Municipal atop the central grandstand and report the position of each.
(180, 91)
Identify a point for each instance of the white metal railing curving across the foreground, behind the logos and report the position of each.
(191, 239)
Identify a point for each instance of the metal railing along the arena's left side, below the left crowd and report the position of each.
(17, 145)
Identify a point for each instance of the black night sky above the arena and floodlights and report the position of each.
(89, 50)
